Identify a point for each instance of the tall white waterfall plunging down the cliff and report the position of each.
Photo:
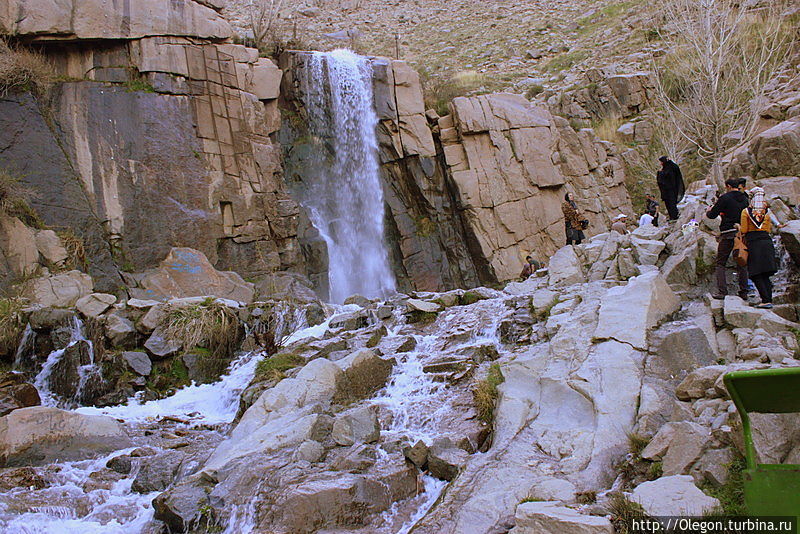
(344, 199)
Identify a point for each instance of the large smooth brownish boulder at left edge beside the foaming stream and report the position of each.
(42, 435)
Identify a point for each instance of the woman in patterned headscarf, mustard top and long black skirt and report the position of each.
(755, 223)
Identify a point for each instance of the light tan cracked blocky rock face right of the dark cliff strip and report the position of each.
(512, 163)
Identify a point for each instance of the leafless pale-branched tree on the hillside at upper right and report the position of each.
(712, 84)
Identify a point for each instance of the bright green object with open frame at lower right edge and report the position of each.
(768, 489)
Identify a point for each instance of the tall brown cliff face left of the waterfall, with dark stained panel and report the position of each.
(164, 141)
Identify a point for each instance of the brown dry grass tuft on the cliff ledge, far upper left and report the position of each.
(23, 70)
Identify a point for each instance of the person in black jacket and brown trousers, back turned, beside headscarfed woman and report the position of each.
(729, 206)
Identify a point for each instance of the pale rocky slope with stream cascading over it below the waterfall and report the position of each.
(372, 421)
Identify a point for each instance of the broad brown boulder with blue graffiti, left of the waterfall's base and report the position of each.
(188, 273)
